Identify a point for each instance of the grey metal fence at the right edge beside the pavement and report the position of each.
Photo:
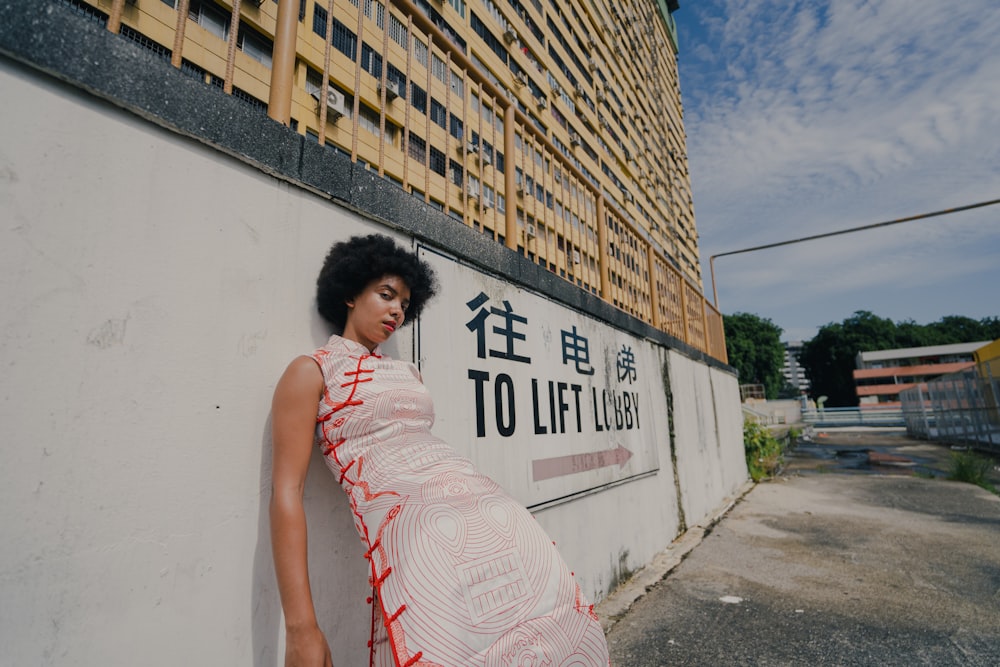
(962, 408)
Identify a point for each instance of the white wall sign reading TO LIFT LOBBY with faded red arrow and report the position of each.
(545, 400)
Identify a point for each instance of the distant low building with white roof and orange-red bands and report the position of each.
(879, 376)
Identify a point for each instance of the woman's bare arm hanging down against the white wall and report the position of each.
(293, 424)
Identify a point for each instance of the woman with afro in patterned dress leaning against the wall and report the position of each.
(461, 573)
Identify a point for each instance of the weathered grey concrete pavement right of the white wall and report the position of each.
(824, 568)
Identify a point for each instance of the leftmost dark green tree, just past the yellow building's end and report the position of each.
(754, 347)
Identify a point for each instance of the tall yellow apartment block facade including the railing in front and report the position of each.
(554, 127)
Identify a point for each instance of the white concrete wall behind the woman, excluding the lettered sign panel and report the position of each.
(154, 290)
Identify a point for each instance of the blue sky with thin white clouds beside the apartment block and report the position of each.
(807, 117)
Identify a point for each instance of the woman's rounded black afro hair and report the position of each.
(352, 264)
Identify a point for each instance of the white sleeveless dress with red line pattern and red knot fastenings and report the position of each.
(462, 575)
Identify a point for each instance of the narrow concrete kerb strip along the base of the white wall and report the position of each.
(616, 605)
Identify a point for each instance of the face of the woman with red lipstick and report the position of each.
(377, 312)
